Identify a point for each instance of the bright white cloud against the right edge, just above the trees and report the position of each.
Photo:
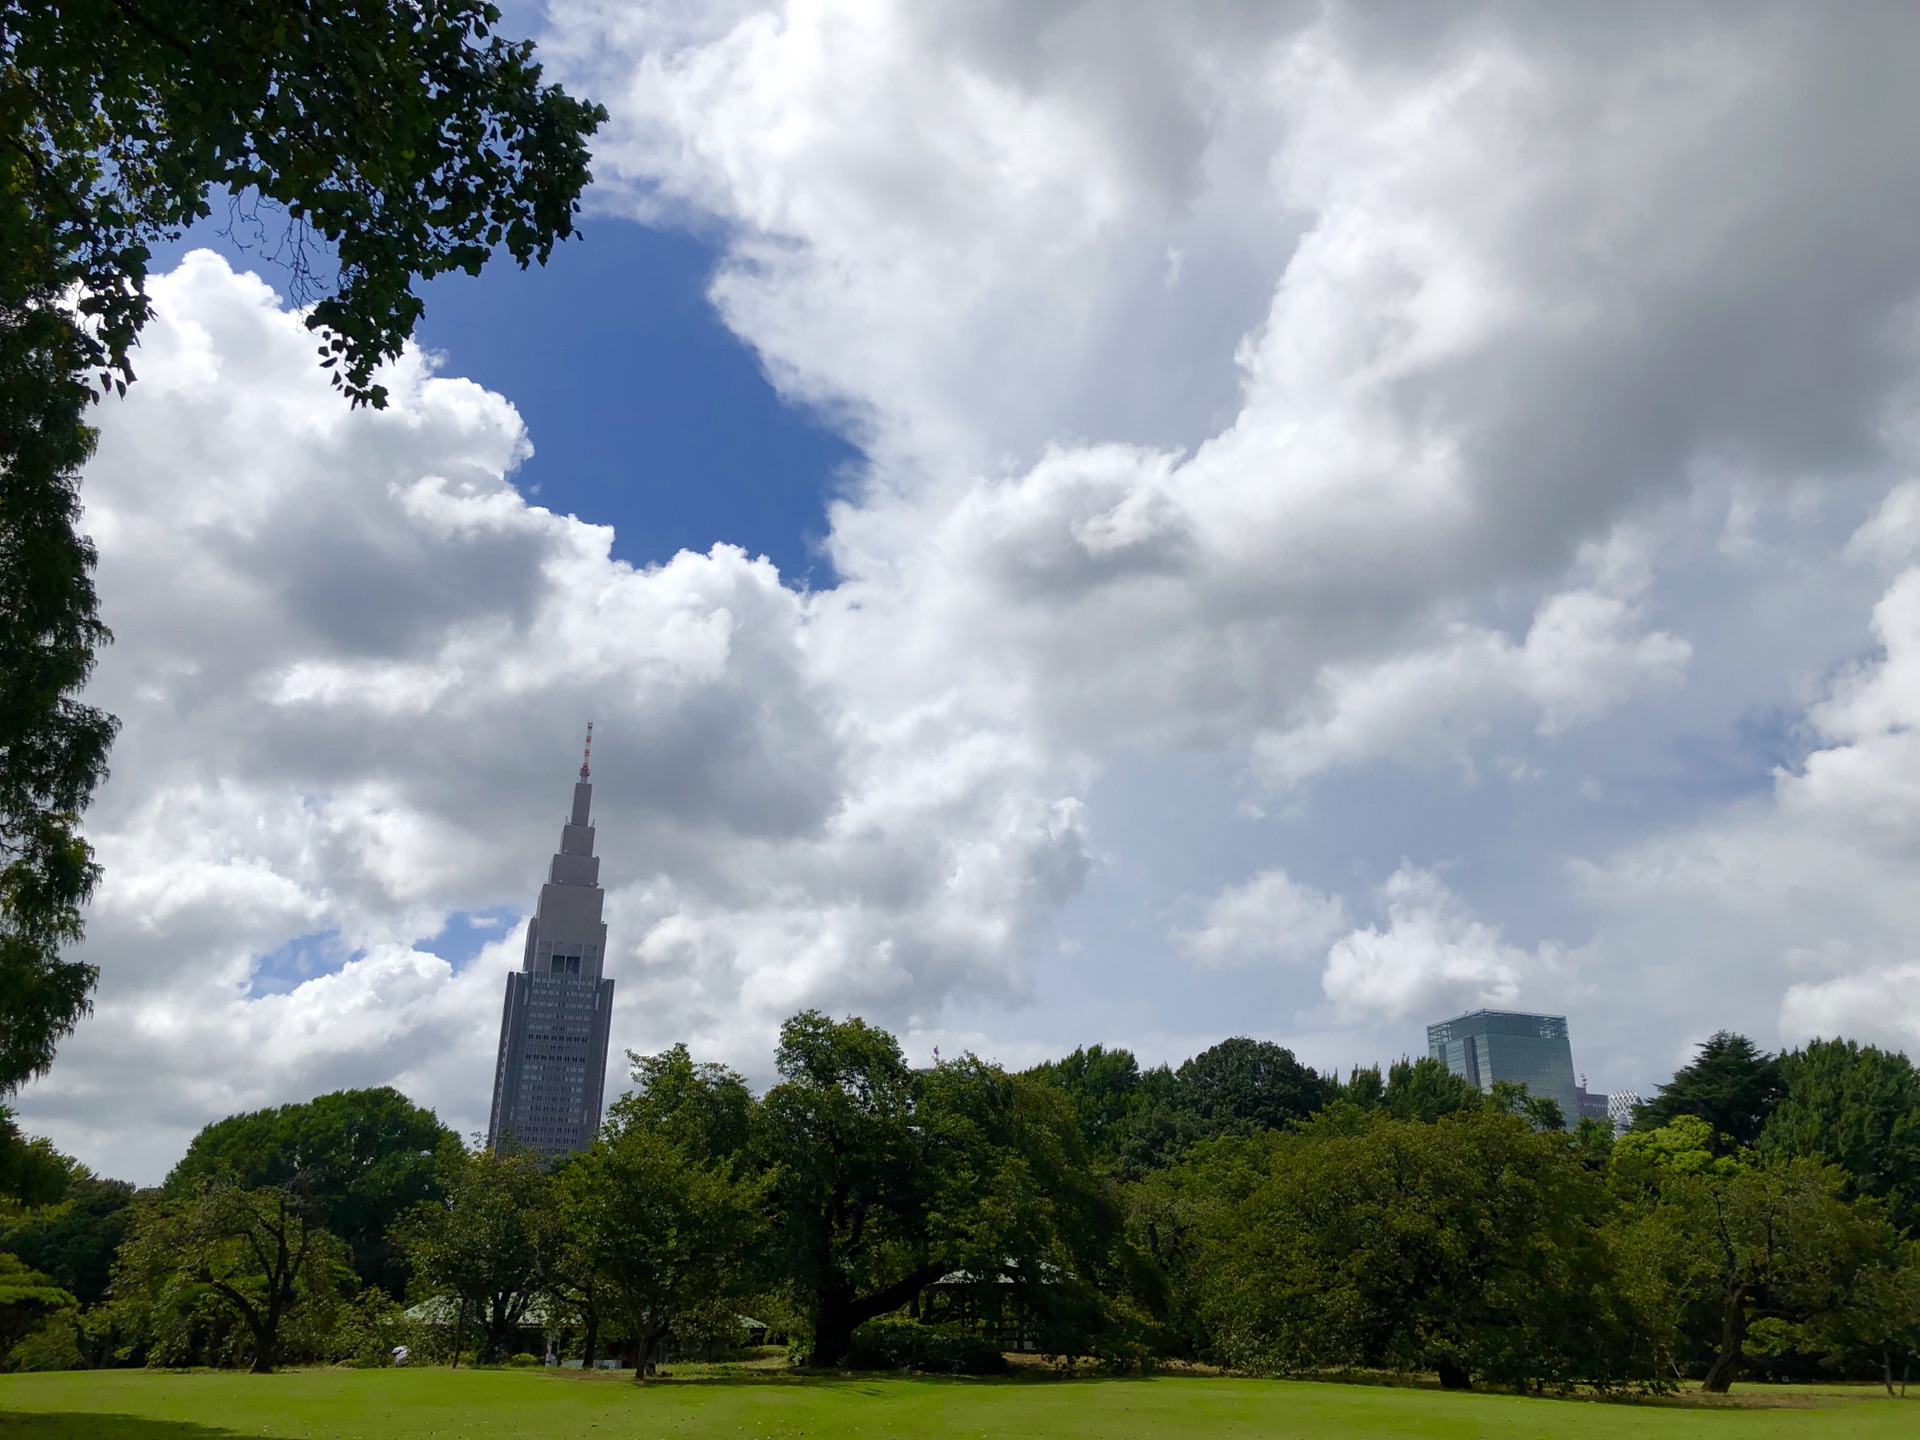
(1800, 907)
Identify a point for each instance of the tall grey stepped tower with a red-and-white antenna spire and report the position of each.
(552, 1068)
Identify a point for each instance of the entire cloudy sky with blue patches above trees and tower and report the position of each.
(1072, 523)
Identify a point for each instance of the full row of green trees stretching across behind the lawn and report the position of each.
(1762, 1220)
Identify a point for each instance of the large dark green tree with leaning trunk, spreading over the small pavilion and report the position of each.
(888, 1180)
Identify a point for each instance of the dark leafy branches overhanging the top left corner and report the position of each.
(408, 139)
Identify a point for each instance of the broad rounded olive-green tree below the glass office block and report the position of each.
(1464, 1247)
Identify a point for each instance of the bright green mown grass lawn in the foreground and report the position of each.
(437, 1404)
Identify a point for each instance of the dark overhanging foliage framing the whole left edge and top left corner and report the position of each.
(393, 139)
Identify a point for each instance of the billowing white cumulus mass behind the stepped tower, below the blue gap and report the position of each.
(352, 665)
